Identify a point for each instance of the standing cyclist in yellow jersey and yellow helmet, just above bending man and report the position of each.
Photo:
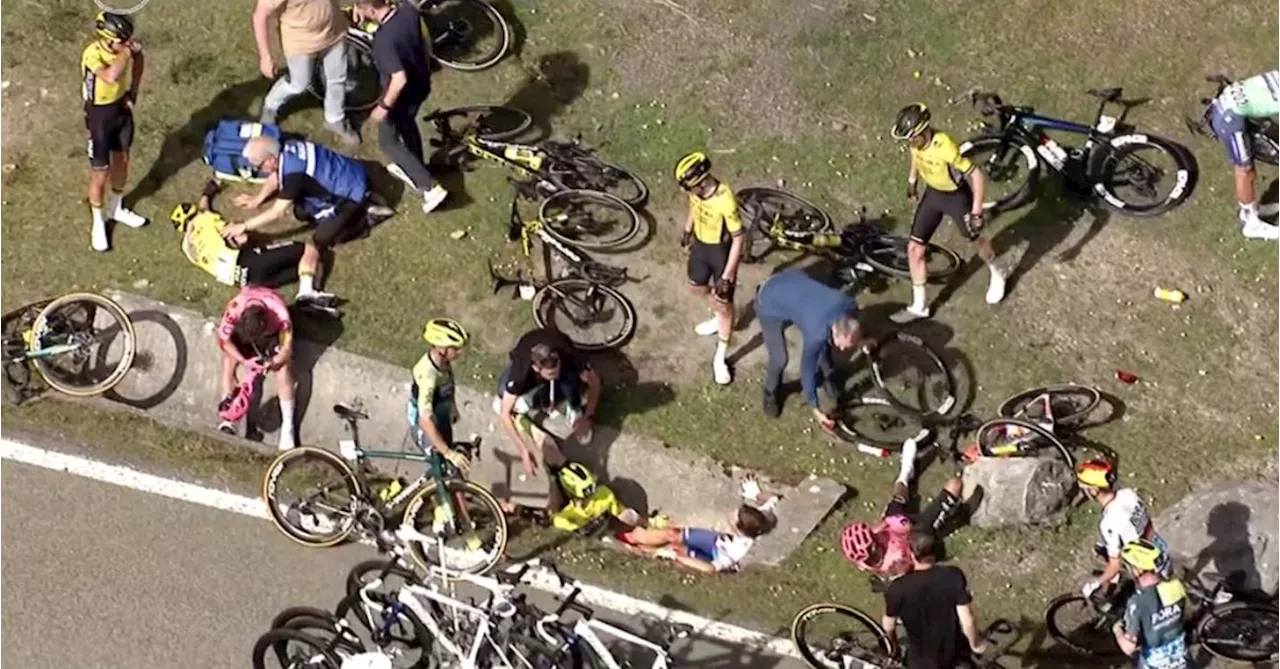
(714, 236)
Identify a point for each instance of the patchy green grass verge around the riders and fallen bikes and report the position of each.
(648, 85)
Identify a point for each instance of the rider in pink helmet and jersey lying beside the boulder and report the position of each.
(885, 549)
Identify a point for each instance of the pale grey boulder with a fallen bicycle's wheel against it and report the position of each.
(1018, 491)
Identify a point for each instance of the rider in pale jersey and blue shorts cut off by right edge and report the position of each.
(1256, 98)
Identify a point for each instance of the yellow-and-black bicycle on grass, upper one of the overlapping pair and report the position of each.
(551, 167)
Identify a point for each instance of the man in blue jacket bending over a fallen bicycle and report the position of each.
(825, 317)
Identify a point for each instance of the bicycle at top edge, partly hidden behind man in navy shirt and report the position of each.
(464, 35)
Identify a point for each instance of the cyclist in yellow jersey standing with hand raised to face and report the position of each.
(112, 71)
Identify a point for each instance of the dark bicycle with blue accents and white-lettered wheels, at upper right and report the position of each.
(1107, 161)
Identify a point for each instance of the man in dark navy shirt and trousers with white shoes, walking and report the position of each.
(401, 61)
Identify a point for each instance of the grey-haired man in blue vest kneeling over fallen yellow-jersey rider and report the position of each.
(321, 186)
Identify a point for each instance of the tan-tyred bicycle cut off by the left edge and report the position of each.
(81, 345)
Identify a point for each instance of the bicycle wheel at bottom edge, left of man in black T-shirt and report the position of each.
(828, 635)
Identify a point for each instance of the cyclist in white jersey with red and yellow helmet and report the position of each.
(1124, 520)
